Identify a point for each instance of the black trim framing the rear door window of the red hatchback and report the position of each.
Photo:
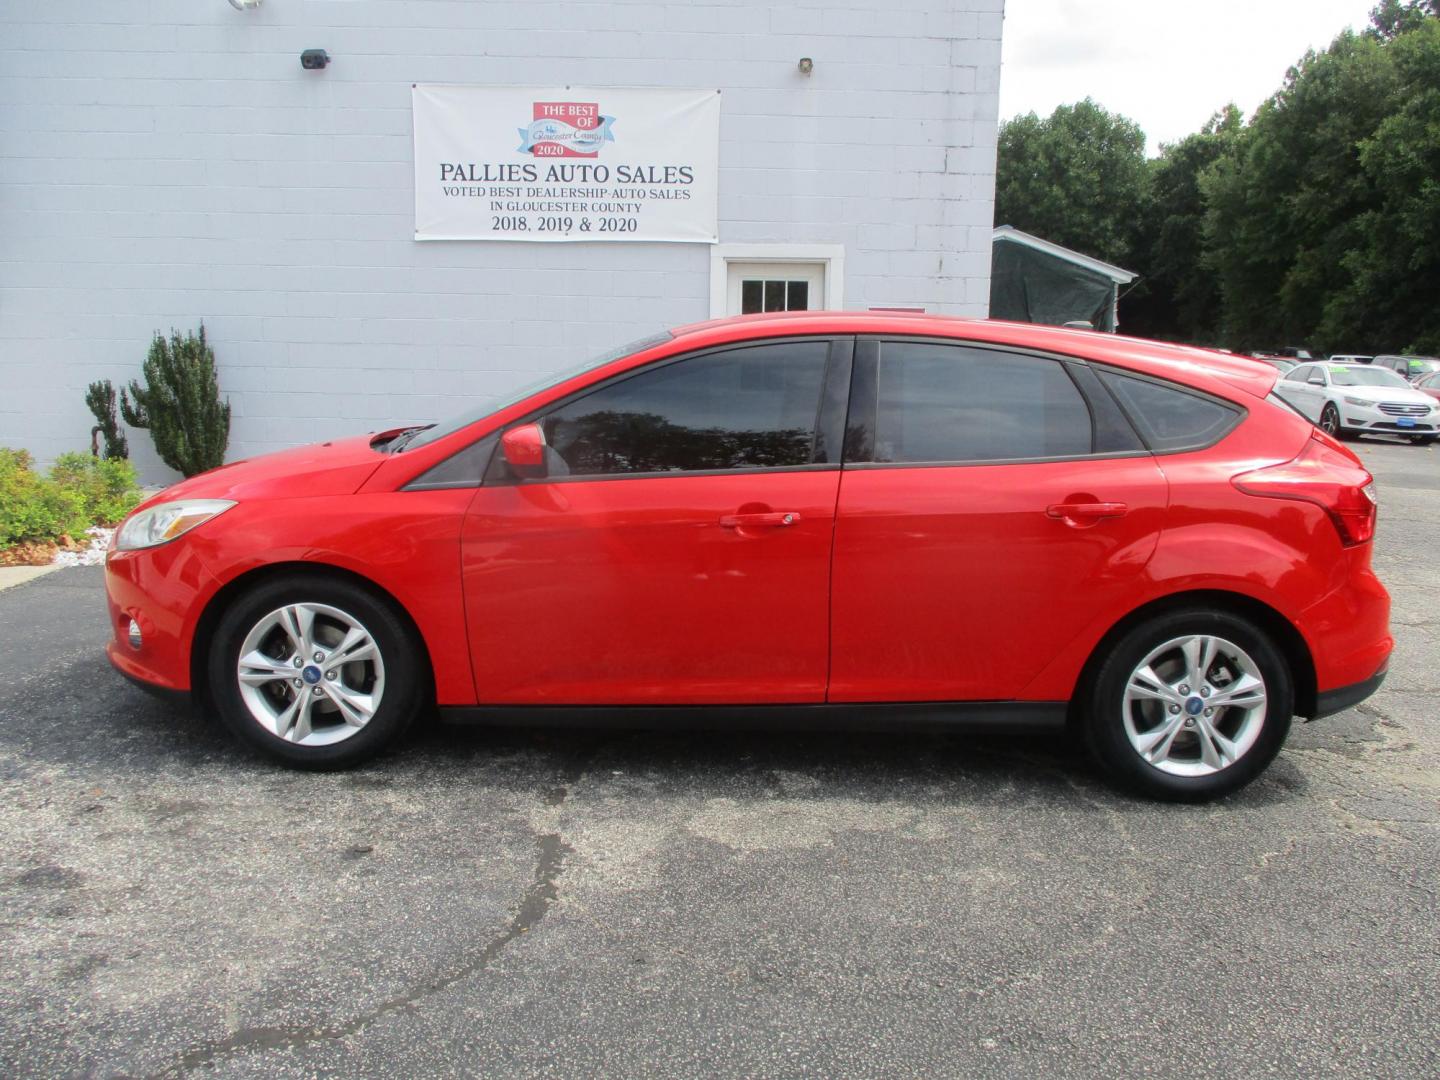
(866, 405)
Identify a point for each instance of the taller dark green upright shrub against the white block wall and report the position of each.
(181, 404)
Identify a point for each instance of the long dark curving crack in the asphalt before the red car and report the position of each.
(535, 905)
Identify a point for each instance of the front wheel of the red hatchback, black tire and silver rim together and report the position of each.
(316, 672)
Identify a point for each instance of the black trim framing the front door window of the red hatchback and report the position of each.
(829, 413)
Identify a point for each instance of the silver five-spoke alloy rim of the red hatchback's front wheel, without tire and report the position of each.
(310, 675)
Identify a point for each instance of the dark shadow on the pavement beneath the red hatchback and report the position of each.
(143, 737)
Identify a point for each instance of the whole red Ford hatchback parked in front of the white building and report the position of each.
(832, 521)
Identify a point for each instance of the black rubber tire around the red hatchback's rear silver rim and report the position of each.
(1104, 705)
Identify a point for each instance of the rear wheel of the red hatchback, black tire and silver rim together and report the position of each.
(1190, 706)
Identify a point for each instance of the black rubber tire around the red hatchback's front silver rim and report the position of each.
(405, 672)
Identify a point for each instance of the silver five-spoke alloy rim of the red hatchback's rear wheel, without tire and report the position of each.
(1194, 706)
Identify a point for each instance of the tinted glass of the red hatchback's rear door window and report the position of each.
(944, 404)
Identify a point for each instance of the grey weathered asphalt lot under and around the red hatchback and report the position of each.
(590, 905)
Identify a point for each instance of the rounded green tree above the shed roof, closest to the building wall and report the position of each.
(1076, 178)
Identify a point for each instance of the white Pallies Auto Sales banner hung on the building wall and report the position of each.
(545, 163)
